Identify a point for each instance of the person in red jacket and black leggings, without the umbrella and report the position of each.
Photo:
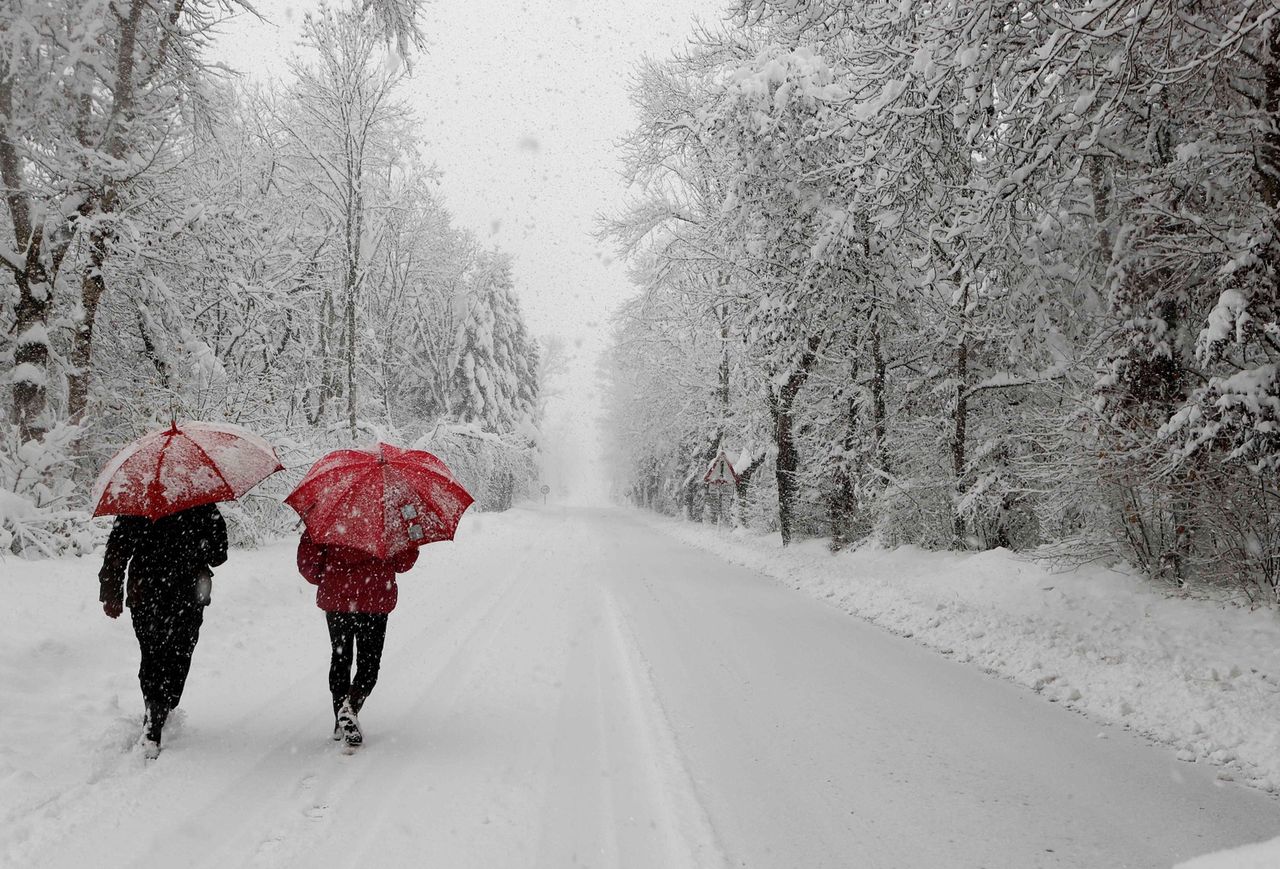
(356, 592)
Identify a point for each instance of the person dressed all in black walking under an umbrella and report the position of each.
(168, 562)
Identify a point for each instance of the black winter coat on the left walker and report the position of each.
(163, 557)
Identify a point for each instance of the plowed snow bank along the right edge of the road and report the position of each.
(1199, 676)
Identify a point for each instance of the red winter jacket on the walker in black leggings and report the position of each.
(350, 580)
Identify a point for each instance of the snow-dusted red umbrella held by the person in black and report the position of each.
(184, 466)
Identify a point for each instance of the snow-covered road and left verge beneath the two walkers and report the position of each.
(566, 688)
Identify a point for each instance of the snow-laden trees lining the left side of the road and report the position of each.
(182, 246)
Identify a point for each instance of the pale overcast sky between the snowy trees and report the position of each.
(523, 106)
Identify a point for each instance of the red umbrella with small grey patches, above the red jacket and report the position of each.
(382, 501)
